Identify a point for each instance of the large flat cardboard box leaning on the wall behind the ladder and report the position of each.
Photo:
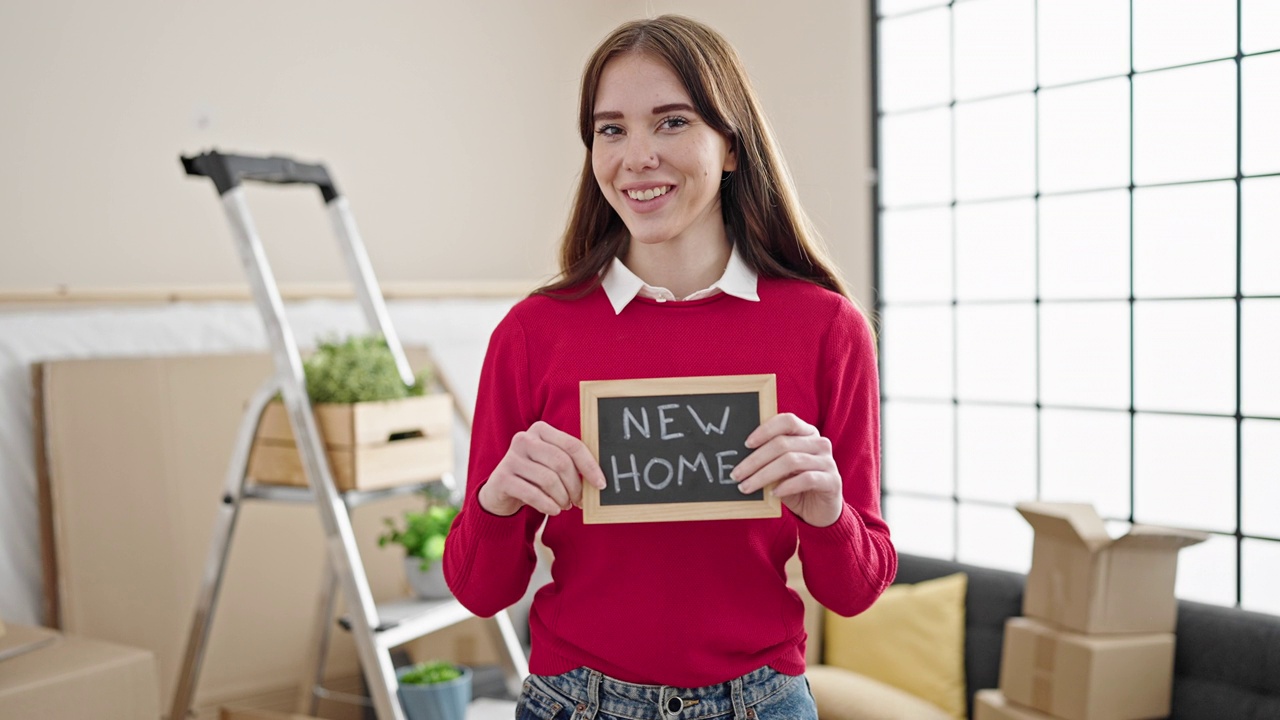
(162, 430)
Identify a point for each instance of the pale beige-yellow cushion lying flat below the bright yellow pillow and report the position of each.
(842, 695)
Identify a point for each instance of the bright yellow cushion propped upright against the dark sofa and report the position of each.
(912, 639)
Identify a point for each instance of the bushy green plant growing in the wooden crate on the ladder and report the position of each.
(359, 370)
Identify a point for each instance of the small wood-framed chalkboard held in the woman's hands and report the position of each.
(668, 445)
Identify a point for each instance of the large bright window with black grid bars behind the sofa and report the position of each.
(1078, 275)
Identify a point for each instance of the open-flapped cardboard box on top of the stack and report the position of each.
(1085, 581)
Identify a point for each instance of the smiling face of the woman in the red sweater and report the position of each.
(657, 162)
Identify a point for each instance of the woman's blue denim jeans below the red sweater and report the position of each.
(587, 695)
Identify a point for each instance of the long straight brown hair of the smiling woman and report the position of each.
(758, 199)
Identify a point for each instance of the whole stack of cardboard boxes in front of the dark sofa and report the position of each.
(1098, 639)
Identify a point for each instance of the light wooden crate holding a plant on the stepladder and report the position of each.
(365, 443)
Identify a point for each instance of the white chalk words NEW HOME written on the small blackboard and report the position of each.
(660, 472)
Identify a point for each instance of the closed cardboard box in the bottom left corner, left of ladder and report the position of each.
(72, 678)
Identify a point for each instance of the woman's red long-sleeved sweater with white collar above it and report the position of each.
(678, 604)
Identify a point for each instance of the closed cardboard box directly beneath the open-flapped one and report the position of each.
(1080, 677)
